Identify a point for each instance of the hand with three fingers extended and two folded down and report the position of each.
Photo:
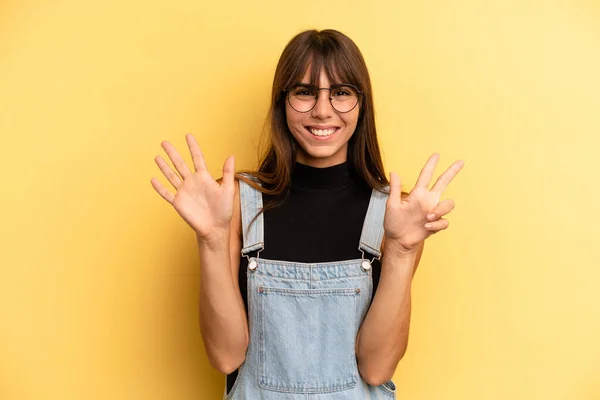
(408, 221)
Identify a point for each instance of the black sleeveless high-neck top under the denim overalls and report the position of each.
(320, 220)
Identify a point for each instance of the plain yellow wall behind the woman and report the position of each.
(99, 276)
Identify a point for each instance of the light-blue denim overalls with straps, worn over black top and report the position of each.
(304, 317)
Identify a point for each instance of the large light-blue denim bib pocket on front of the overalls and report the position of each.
(307, 339)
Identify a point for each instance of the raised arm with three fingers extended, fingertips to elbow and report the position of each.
(409, 220)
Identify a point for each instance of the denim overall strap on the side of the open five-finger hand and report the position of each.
(252, 230)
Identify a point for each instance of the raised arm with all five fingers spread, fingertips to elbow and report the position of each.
(212, 209)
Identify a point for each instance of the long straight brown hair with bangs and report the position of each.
(343, 62)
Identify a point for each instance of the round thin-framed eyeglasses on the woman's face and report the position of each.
(343, 97)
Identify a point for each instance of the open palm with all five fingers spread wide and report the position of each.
(203, 203)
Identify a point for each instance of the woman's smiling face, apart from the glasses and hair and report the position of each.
(322, 133)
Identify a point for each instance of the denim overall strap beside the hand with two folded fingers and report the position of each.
(372, 233)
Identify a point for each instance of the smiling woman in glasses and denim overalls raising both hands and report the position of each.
(318, 304)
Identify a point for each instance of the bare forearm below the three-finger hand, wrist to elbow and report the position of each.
(383, 336)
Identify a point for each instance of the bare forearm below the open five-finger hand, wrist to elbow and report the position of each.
(222, 314)
